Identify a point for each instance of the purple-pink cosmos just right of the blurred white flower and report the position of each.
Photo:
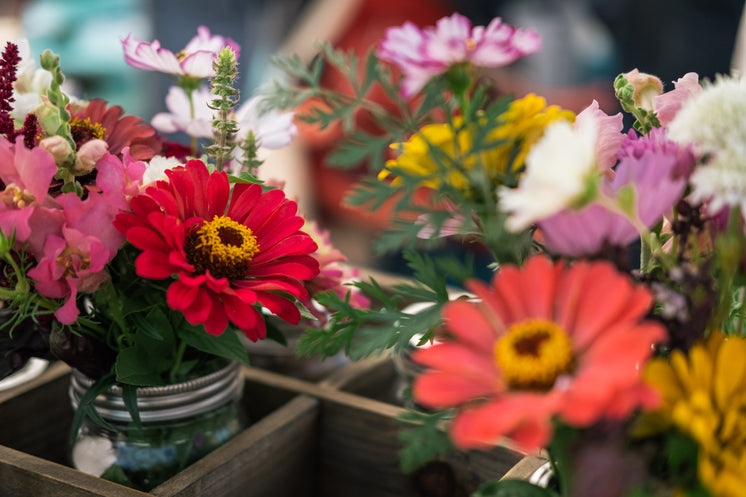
(657, 170)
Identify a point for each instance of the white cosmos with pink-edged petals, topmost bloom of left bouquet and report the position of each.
(195, 60)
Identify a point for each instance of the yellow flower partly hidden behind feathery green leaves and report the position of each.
(520, 128)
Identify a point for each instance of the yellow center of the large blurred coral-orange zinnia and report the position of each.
(533, 353)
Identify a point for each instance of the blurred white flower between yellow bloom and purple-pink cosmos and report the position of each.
(558, 168)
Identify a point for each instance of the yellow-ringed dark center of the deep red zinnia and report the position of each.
(222, 246)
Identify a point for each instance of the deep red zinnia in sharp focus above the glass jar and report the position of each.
(225, 256)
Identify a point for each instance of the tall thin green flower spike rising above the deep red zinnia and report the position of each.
(223, 125)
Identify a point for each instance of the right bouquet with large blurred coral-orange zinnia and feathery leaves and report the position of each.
(599, 309)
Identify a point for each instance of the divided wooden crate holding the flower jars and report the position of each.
(335, 437)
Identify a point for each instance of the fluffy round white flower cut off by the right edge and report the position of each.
(714, 121)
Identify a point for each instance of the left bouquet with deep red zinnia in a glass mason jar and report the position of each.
(135, 261)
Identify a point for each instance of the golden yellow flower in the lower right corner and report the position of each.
(704, 396)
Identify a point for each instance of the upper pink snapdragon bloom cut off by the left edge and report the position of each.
(25, 176)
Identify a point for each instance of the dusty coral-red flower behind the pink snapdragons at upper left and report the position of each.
(99, 121)
